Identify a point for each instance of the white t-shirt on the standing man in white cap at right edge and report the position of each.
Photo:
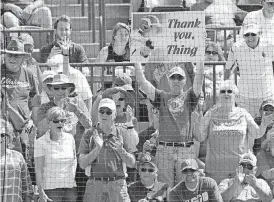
(255, 65)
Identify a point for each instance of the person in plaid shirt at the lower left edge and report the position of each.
(15, 179)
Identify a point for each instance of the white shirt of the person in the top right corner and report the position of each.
(267, 24)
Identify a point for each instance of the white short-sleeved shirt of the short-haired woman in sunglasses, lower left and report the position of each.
(60, 161)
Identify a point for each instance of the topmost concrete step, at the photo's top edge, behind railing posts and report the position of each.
(75, 10)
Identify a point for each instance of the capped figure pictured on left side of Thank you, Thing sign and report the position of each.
(144, 38)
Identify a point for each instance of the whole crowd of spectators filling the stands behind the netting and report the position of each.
(210, 132)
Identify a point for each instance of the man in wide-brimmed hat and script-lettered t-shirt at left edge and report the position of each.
(19, 86)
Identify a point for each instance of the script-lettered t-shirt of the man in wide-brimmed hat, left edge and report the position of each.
(20, 86)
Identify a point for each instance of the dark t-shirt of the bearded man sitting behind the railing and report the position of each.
(77, 53)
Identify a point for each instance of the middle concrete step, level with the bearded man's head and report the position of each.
(81, 23)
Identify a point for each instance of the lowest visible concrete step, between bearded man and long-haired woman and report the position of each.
(86, 36)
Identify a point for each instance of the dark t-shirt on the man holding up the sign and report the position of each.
(175, 115)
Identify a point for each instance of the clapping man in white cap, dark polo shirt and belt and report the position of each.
(105, 151)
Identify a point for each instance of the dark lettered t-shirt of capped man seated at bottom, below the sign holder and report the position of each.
(207, 190)
